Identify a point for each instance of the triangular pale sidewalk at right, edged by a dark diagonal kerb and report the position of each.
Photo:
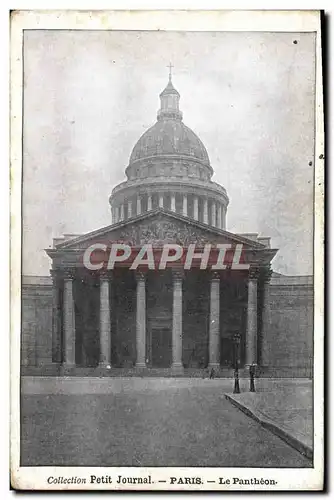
(284, 407)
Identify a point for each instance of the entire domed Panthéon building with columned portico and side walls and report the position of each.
(172, 321)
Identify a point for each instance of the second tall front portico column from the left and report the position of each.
(105, 346)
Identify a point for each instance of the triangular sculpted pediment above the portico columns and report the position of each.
(158, 227)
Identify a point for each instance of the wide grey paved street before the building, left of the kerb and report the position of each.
(144, 422)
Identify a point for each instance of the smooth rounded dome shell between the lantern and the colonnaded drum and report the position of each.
(169, 137)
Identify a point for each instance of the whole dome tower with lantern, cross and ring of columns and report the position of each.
(169, 168)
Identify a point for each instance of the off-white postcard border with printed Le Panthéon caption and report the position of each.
(294, 21)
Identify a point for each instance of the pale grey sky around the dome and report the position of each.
(89, 95)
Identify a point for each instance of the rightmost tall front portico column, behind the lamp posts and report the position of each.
(251, 333)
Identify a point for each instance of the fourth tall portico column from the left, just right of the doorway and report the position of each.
(177, 365)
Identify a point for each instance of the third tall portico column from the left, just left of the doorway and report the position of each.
(141, 321)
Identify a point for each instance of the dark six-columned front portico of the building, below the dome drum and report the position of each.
(142, 319)
